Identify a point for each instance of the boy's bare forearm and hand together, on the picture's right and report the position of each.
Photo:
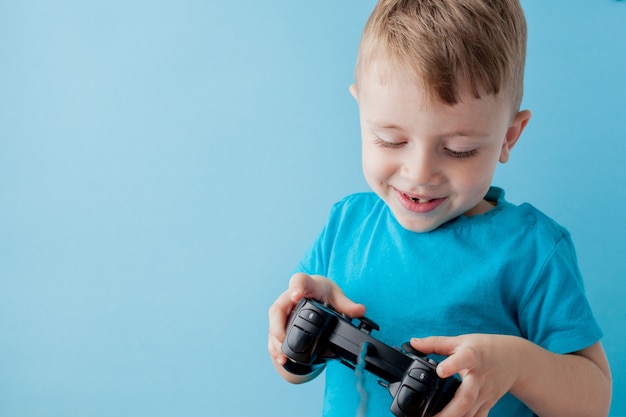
(552, 385)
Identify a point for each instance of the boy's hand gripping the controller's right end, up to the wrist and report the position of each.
(487, 364)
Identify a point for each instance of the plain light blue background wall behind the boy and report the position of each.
(164, 164)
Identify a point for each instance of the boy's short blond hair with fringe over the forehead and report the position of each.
(449, 45)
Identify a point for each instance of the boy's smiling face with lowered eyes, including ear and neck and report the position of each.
(432, 162)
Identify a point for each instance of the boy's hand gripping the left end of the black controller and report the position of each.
(304, 286)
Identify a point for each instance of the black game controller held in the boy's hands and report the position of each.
(316, 333)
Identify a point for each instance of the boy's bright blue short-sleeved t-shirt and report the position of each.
(510, 271)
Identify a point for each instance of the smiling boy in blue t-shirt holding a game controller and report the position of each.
(435, 250)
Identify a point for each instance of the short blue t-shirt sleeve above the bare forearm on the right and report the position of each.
(555, 313)
